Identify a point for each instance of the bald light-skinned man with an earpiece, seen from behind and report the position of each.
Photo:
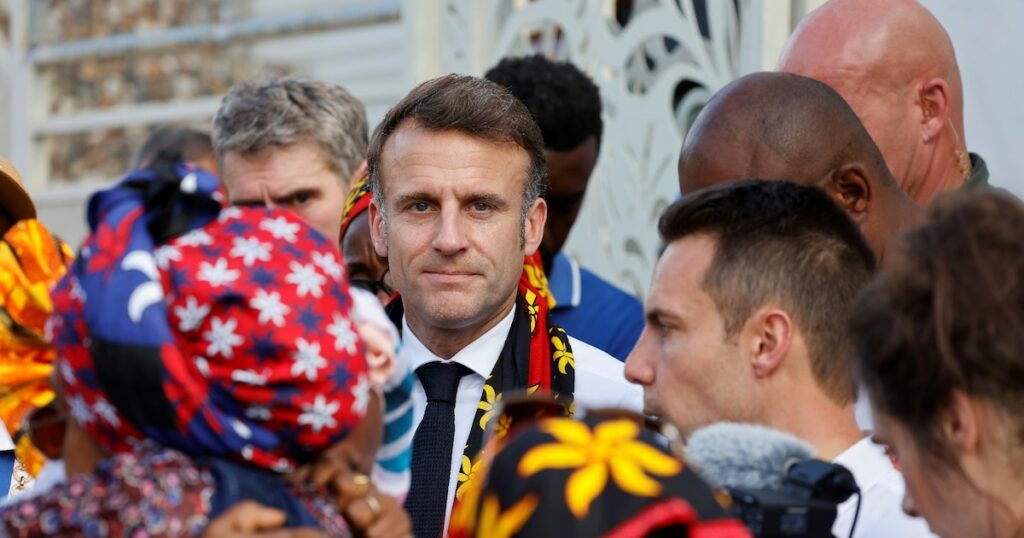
(894, 64)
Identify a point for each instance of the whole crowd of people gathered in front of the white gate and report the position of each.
(291, 327)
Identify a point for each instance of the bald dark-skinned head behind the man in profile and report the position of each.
(783, 127)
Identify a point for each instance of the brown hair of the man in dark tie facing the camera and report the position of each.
(473, 106)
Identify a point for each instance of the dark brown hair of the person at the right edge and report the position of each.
(949, 316)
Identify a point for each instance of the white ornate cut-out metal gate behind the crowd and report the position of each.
(656, 62)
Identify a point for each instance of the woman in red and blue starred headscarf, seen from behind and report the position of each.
(193, 357)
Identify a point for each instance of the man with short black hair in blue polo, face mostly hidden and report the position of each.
(567, 106)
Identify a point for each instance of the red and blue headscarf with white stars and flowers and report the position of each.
(222, 333)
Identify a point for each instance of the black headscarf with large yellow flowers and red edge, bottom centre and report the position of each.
(598, 477)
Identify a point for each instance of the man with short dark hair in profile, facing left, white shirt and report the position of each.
(747, 322)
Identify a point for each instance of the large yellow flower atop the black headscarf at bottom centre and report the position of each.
(612, 449)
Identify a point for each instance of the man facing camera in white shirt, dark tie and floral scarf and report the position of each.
(457, 171)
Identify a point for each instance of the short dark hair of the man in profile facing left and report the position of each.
(778, 241)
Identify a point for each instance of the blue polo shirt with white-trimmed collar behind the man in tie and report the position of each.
(592, 310)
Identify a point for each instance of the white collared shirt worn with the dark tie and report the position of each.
(600, 384)
